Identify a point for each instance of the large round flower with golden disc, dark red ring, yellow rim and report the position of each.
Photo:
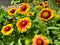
(46, 14)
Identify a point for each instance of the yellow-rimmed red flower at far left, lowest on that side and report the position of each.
(8, 29)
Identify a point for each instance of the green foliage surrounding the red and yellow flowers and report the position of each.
(51, 28)
